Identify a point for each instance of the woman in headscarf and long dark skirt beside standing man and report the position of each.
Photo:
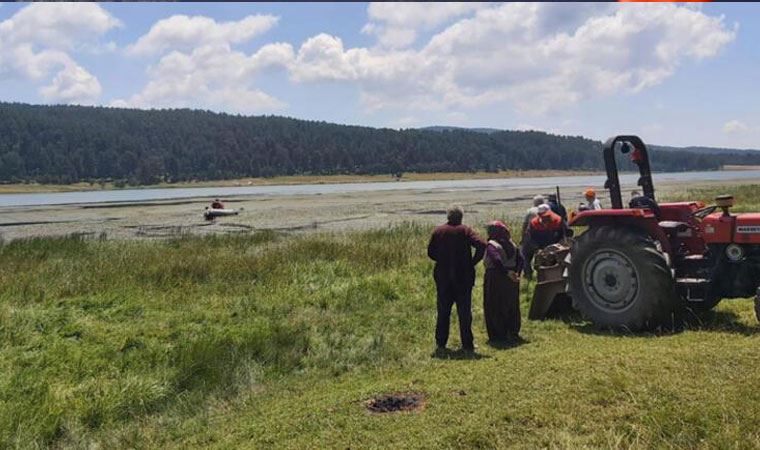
(501, 285)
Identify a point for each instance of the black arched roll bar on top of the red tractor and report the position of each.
(640, 157)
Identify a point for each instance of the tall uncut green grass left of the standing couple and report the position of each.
(94, 333)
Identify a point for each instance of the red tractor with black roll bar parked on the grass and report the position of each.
(637, 264)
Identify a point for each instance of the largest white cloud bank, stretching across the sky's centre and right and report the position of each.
(535, 56)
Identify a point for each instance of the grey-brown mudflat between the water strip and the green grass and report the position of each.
(297, 213)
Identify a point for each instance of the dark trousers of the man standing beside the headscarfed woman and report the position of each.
(450, 294)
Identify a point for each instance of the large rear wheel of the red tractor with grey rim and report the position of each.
(618, 278)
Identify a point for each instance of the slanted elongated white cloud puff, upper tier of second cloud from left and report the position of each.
(182, 32)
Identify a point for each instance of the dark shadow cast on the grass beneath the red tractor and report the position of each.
(685, 320)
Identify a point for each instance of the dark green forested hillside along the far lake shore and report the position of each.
(65, 144)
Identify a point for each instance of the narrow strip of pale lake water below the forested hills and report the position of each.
(542, 183)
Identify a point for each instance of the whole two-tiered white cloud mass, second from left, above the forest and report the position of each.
(200, 68)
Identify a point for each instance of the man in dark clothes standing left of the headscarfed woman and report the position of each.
(451, 248)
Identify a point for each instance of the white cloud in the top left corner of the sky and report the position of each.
(35, 44)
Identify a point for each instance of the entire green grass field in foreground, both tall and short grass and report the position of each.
(270, 340)
